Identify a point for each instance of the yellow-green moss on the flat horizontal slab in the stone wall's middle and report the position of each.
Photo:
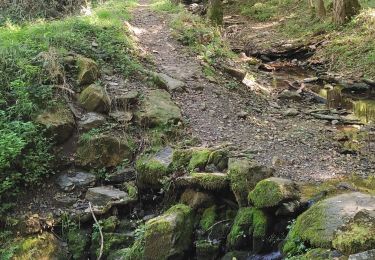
(209, 181)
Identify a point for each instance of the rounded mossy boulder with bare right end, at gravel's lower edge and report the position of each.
(273, 191)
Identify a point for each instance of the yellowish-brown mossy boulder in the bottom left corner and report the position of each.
(42, 246)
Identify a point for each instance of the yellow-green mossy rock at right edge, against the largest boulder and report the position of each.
(358, 235)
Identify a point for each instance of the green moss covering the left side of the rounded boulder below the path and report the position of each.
(266, 193)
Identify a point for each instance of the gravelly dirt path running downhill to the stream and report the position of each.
(299, 147)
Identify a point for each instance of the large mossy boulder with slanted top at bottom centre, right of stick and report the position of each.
(169, 236)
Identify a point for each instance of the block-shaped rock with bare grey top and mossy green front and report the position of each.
(151, 169)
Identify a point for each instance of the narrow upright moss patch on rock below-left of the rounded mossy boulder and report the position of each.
(239, 236)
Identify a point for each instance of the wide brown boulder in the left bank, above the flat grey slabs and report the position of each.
(104, 150)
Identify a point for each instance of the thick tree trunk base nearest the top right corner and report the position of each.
(343, 10)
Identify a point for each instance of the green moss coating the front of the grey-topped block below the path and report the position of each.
(150, 171)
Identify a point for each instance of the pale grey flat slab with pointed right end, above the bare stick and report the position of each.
(107, 195)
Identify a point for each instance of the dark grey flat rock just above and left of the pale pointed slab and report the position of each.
(68, 182)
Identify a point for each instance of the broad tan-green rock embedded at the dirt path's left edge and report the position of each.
(158, 109)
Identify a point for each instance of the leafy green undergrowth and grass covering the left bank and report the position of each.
(28, 84)
